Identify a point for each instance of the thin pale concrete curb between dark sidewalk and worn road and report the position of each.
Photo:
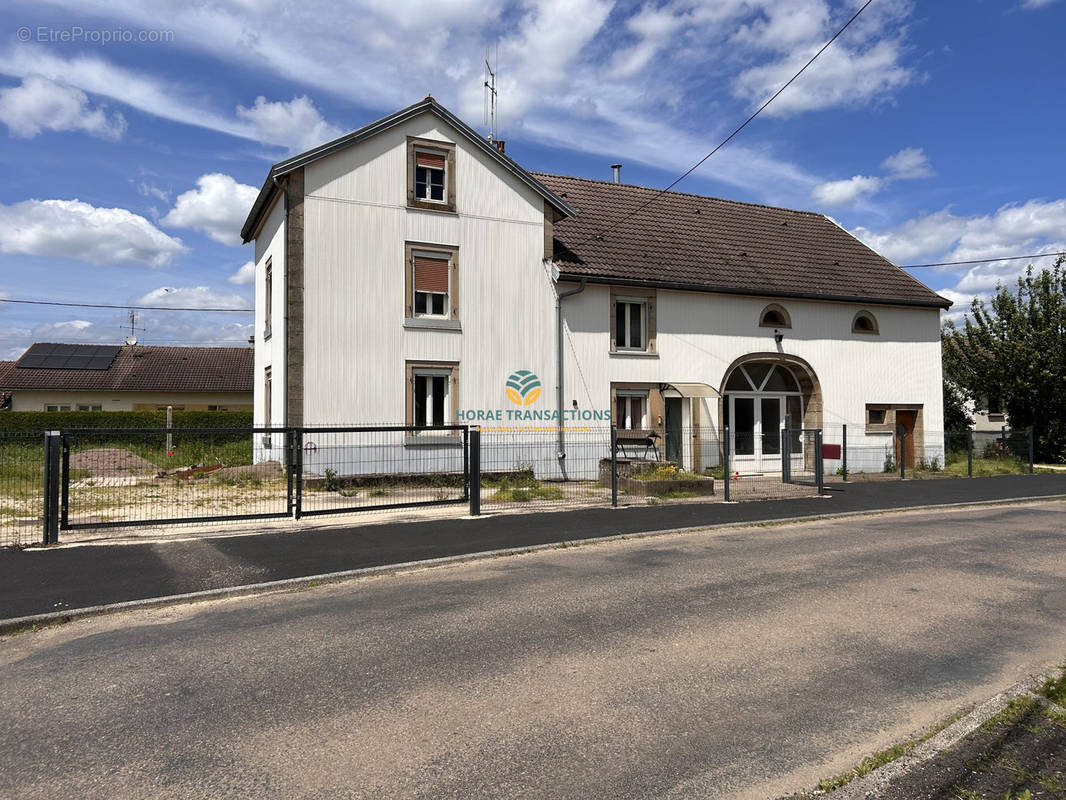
(287, 585)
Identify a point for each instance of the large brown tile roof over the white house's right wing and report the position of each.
(692, 242)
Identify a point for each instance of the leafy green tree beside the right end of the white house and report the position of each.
(1014, 349)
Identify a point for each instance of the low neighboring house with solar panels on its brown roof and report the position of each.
(52, 377)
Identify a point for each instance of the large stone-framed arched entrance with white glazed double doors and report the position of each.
(763, 393)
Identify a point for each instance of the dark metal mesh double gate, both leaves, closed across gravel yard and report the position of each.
(109, 478)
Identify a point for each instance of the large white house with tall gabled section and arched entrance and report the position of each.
(412, 273)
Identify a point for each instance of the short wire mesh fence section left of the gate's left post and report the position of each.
(22, 482)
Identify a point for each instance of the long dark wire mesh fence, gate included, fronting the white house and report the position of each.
(184, 476)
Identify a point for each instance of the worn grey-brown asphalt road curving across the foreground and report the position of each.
(745, 663)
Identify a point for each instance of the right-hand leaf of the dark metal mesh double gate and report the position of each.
(348, 470)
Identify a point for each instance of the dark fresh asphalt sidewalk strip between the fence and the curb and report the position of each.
(41, 581)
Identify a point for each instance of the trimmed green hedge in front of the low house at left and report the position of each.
(39, 422)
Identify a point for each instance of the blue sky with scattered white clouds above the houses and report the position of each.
(931, 131)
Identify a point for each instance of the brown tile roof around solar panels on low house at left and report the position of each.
(148, 369)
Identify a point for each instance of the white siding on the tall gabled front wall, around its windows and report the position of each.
(357, 223)
